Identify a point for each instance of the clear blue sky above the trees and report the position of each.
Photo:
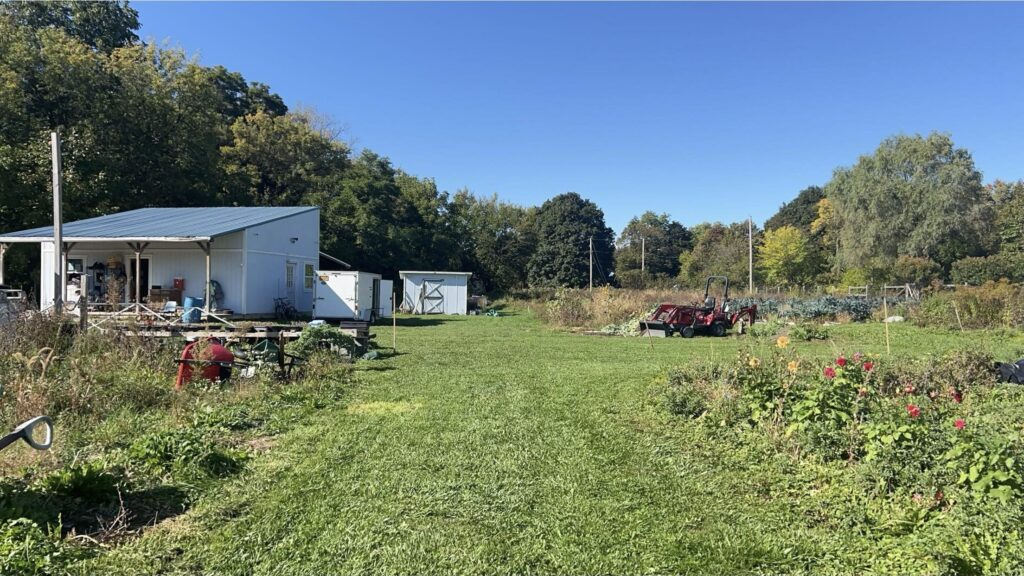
(709, 112)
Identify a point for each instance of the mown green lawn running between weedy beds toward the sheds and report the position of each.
(497, 446)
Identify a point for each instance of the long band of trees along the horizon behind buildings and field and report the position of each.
(145, 126)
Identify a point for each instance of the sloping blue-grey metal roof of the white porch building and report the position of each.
(168, 225)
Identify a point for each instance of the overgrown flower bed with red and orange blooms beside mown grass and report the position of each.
(926, 455)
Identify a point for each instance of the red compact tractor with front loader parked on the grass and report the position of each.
(710, 318)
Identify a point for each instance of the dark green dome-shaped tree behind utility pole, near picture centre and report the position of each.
(567, 224)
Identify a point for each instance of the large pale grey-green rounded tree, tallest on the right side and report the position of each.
(916, 196)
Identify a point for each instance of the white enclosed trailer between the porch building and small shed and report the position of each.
(352, 296)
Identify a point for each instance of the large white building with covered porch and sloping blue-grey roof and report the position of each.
(254, 255)
